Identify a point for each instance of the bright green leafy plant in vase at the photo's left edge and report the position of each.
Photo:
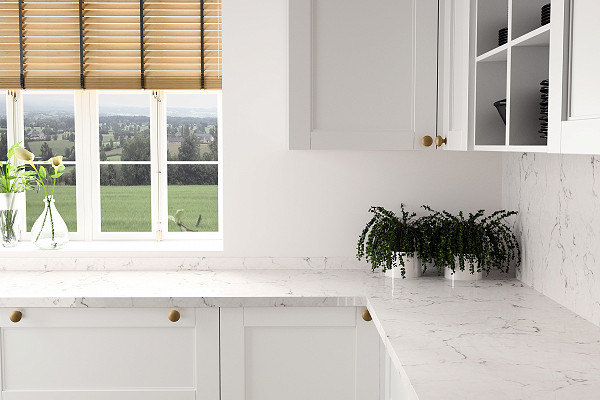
(14, 181)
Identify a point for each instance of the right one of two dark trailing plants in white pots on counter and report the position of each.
(466, 246)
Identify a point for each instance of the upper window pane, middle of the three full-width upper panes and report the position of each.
(124, 130)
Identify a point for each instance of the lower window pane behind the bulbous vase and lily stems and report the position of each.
(64, 196)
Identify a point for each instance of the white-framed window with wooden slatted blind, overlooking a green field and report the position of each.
(140, 163)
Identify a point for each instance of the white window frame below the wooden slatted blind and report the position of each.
(88, 169)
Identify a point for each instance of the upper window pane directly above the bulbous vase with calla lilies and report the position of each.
(50, 125)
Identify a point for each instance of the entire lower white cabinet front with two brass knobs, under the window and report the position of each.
(109, 354)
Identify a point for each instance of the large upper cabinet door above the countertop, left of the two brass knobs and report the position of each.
(362, 76)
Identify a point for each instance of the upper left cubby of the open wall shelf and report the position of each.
(492, 15)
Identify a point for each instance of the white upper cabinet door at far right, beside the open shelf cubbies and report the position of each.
(574, 65)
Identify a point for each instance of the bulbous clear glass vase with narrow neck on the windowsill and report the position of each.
(49, 231)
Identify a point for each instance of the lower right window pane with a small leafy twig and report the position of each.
(193, 189)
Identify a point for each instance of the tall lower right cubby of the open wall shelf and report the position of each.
(529, 66)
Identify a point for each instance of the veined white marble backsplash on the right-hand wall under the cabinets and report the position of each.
(558, 199)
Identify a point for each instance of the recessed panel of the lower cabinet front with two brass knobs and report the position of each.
(82, 358)
